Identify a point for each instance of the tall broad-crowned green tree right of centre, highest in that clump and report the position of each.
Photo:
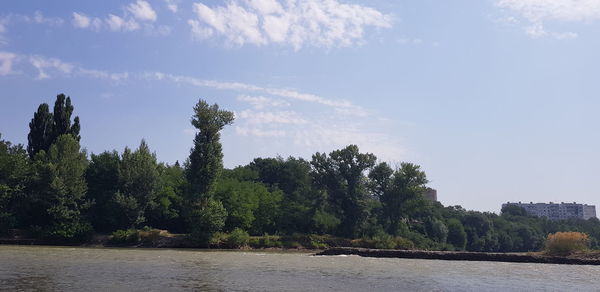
(341, 175)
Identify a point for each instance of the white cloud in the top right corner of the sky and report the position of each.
(540, 12)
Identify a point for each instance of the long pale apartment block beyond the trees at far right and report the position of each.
(555, 211)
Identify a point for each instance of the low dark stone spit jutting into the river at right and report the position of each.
(575, 259)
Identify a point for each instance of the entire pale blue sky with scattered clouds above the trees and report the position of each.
(497, 100)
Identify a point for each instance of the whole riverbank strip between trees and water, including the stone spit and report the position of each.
(311, 242)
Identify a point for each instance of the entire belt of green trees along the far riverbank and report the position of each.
(53, 189)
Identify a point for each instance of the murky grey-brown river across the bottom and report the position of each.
(40, 268)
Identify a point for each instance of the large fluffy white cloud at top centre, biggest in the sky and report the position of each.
(320, 23)
